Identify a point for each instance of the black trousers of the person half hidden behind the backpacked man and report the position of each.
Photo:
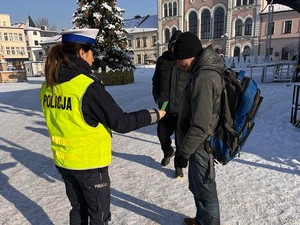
(165, 129)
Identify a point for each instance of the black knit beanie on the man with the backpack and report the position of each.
(187, 46)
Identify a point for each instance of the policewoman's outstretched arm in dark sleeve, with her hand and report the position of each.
(98, 106)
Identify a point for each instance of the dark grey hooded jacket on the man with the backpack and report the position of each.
(201, 100)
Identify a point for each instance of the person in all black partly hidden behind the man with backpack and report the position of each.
(168, 83)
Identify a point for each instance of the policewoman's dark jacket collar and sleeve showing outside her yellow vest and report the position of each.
(98, 106)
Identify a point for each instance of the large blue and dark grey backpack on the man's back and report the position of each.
(240, 101)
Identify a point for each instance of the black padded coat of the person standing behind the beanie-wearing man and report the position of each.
(168, 82)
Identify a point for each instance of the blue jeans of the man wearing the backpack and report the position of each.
(204, 189)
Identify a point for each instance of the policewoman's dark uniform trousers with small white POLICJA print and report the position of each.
(89, 194)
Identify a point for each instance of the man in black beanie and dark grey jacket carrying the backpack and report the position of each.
(198, 118)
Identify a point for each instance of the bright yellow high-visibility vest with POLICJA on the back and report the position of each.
(75, 144)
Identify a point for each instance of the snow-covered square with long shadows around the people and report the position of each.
(261, 187)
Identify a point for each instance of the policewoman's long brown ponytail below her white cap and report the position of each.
(58, 57)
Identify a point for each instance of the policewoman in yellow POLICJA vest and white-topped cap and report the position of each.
(80, 115)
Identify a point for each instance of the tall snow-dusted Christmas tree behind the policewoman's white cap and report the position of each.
(112, 37)
